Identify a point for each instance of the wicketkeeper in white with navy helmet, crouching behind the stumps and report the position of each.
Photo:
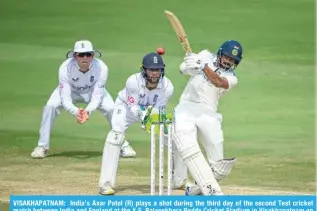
(149, 89)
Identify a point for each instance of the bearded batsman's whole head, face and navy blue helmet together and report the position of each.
(231, 49)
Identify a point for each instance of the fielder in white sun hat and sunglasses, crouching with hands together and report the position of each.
(82, 78)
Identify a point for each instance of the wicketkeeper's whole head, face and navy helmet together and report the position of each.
(151, 64)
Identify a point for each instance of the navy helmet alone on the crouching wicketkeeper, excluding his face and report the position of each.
(152, 61)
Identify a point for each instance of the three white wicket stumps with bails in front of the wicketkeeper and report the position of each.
(161, 157)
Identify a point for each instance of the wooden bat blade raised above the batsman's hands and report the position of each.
(179, 30)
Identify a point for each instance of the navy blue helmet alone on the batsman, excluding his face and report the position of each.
(231, 48)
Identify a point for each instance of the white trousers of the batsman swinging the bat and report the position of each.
(200, 122)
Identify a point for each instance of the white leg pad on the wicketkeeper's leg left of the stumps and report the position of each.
(110, 158)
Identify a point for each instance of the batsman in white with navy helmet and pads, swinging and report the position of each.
(212, 75)
